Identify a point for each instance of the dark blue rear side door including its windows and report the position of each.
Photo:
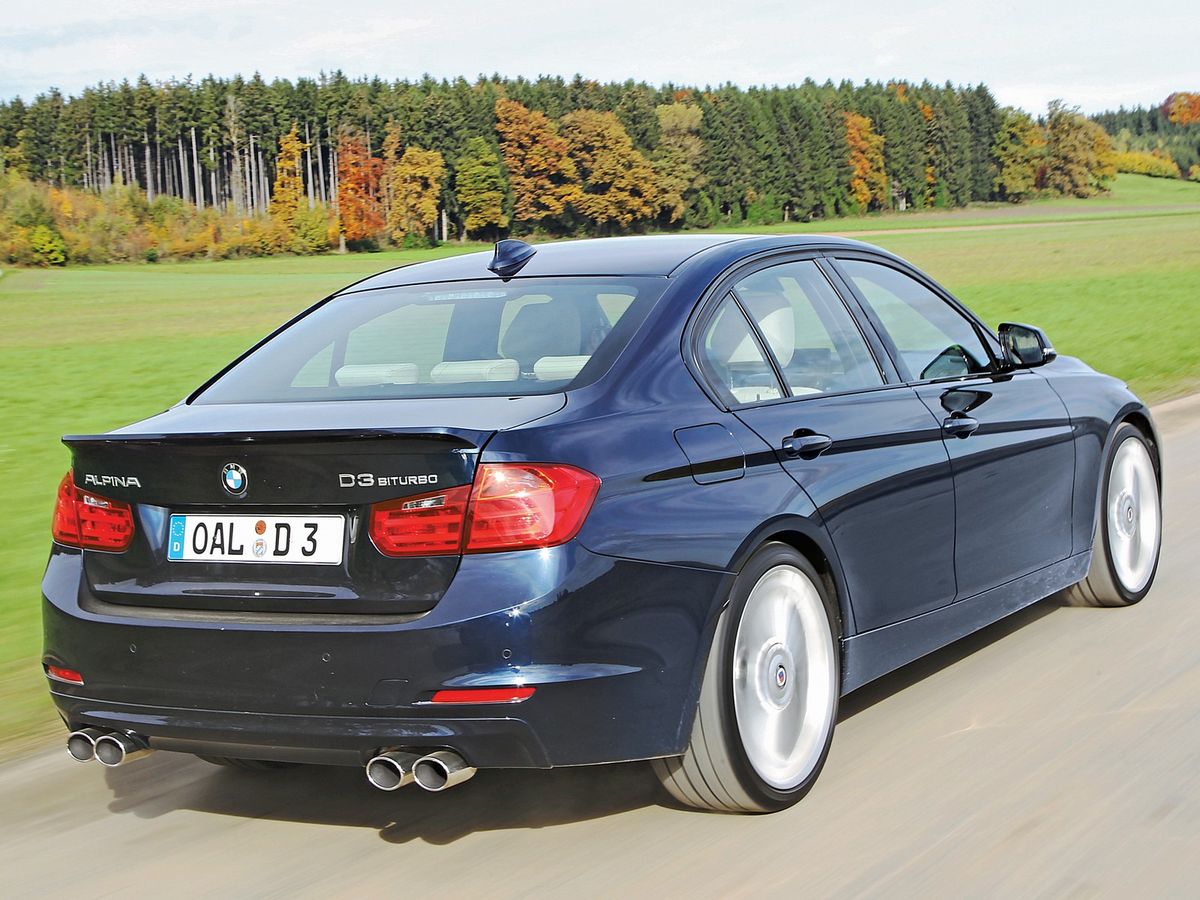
(787, 356)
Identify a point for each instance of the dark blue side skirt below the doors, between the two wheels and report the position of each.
(875, 653)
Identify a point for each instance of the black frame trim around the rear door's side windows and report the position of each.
(725, 285)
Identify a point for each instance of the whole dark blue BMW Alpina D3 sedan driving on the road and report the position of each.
(645, 499)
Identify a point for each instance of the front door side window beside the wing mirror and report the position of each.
(934, 339)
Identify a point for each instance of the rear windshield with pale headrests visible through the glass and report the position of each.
(452, 340)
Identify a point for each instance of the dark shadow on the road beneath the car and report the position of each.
(494, 801)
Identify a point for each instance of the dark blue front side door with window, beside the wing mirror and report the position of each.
(1009, 435)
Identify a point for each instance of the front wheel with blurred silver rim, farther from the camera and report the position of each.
(1129, 526)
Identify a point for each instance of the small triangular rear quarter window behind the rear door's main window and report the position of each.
(733, 359)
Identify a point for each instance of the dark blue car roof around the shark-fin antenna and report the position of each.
(644, 255)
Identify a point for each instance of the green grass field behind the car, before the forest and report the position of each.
(1114, 280)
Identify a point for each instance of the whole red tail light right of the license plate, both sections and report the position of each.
(511, 507)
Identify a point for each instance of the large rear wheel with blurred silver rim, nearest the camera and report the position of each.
(759, 685)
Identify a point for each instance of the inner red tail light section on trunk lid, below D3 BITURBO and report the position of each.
(429, 525)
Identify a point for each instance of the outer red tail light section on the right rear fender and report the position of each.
(520, 506)
